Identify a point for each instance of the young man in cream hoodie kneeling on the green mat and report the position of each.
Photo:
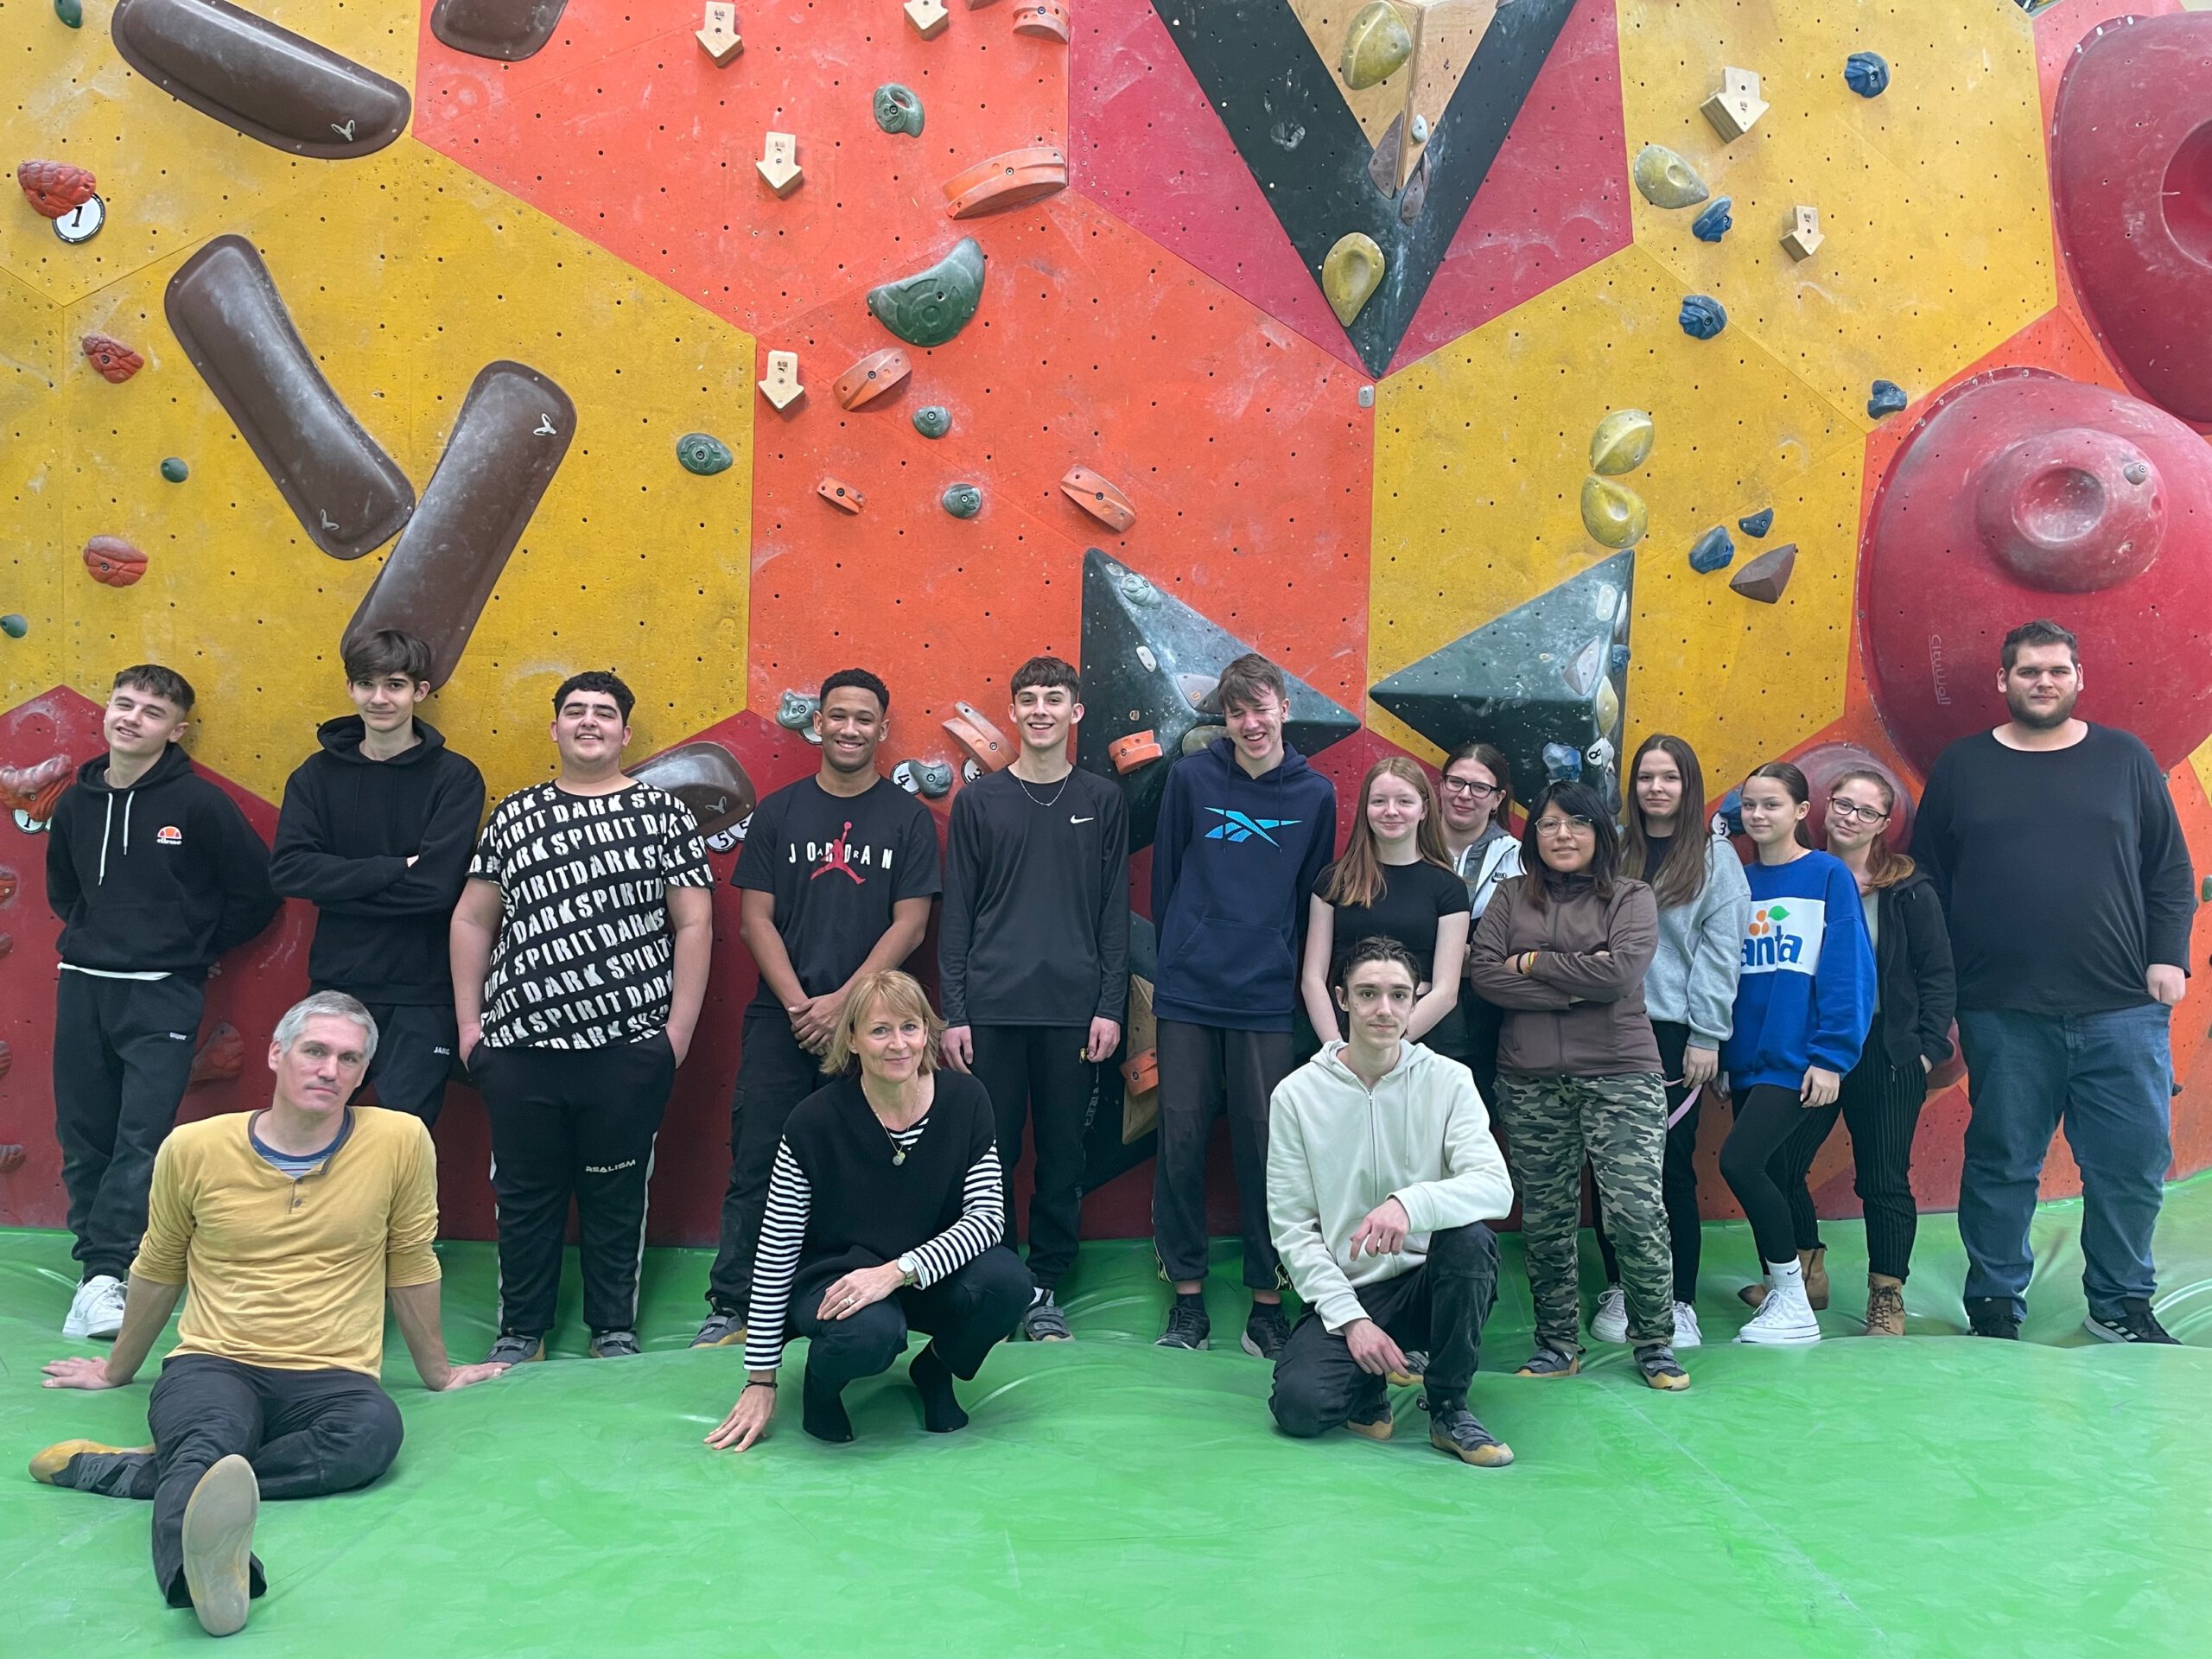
(1381, 1173)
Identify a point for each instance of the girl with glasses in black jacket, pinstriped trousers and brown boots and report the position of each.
(1914, 999)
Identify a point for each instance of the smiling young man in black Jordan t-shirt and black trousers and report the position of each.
(837, 877)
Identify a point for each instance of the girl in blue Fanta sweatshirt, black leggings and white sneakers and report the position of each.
(1804, 1001)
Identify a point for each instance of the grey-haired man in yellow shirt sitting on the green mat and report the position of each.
(289, 1227)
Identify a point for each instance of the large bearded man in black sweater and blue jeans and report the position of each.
(2067, 831)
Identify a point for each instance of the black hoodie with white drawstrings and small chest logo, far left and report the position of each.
(154, 879)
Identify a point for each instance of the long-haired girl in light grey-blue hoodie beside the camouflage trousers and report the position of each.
(1691, 992)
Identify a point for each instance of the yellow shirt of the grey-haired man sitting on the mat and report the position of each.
(289, 1273)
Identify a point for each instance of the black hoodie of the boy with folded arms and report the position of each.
(344, 839)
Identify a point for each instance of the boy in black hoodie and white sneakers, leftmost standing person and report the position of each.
(154, 873)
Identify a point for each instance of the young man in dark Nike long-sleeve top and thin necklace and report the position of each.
(1034, 959)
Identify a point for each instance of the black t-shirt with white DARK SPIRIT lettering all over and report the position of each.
(585, 954)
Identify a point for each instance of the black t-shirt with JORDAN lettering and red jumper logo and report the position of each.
(835, 868)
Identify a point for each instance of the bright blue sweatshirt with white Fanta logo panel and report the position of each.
(1806, 994)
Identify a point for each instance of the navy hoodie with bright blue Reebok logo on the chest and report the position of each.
(1233, 862)
